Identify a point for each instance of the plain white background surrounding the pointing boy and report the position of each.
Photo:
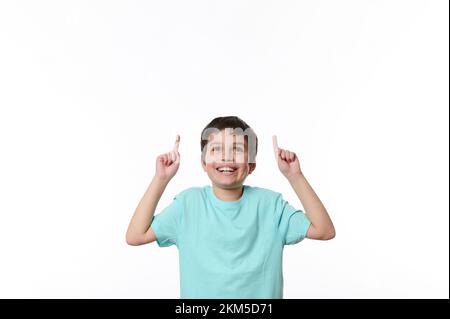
(92, 91)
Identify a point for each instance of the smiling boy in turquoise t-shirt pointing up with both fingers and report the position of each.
(230, 236)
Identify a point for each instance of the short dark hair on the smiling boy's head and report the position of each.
(234, 122)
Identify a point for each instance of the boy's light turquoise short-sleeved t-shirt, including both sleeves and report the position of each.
(230, 249)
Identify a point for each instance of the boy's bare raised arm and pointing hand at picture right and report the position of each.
(321, 225)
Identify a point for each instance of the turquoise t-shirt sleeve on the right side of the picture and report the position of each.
(293, 224)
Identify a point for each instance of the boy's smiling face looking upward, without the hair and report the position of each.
(226, 160)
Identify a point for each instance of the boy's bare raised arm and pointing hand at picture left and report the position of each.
(139, 231)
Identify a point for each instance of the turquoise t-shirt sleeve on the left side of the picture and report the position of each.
(166, 224)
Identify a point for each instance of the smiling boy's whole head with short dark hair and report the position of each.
(229, 147)
